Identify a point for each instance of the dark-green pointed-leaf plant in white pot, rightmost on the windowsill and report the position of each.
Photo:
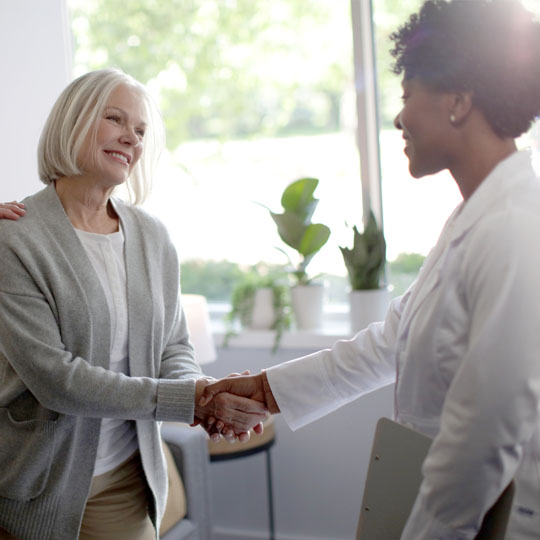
(365, 262)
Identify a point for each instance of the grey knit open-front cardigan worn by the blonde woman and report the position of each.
(54, 353)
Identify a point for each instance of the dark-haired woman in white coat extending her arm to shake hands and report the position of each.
(463, 344)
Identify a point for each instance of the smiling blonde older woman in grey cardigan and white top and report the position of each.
(94, 347)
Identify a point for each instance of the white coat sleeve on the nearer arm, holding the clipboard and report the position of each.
(492, 407)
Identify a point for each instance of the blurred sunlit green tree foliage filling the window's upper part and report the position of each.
(224, 68)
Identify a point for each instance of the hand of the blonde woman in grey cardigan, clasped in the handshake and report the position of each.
(230, 415)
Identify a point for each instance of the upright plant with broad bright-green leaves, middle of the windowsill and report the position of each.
(295, 227)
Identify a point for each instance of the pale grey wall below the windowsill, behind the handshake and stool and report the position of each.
(318, 471)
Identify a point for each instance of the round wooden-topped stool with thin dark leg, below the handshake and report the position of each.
(223, 450)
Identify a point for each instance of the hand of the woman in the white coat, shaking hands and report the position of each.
(255, 387)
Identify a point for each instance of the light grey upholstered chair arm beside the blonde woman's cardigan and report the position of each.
(189, 449)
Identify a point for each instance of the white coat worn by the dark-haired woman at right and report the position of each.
(463, 346)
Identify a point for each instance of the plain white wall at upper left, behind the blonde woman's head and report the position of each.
(35, 64)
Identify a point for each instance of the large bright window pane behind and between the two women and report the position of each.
(254, 96)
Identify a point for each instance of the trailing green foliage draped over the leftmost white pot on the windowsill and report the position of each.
(243, 300)
